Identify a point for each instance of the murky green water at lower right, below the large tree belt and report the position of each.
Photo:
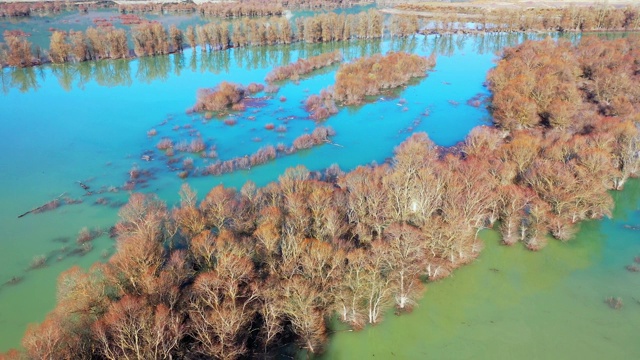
(515, 304)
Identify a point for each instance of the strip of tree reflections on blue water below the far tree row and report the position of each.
(149, 69)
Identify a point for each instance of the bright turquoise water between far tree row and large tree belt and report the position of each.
(88, 123)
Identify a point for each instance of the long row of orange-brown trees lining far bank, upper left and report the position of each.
(150, 38)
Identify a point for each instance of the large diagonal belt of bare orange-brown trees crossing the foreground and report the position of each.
(240, 273)
